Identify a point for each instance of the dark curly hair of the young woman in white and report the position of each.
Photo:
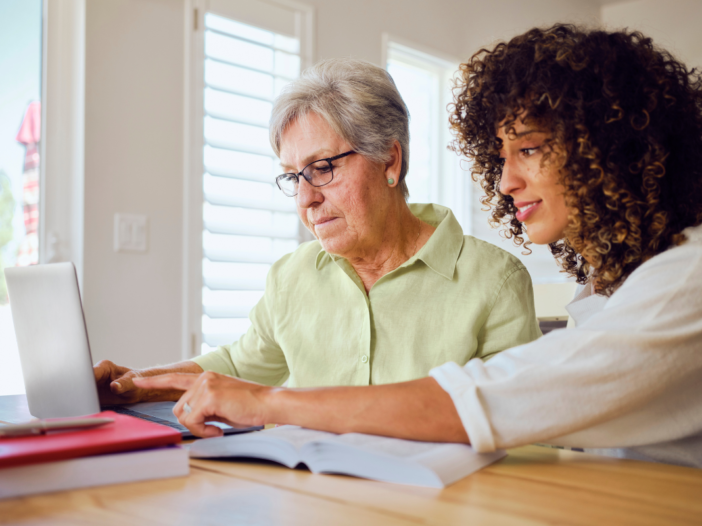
(627, 119)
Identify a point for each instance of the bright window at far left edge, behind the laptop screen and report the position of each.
(20, 135)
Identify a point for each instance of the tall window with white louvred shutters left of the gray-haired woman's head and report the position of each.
(246, 222)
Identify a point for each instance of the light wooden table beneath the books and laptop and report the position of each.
(533, 485)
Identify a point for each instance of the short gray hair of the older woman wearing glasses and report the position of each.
(359, 101)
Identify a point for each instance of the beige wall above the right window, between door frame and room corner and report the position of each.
(455, 27)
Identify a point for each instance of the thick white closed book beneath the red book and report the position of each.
(98, 470)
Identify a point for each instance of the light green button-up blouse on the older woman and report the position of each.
(457, 299)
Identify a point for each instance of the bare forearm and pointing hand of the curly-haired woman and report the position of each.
(417, 410)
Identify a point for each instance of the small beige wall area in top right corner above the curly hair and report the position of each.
(672, 24)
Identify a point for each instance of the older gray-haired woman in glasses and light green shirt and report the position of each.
(387, 291)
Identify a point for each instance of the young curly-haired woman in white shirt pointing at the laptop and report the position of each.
(591, 142)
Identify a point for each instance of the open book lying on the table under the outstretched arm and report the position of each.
(367, 456)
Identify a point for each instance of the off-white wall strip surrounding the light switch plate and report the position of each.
(133, 164)
